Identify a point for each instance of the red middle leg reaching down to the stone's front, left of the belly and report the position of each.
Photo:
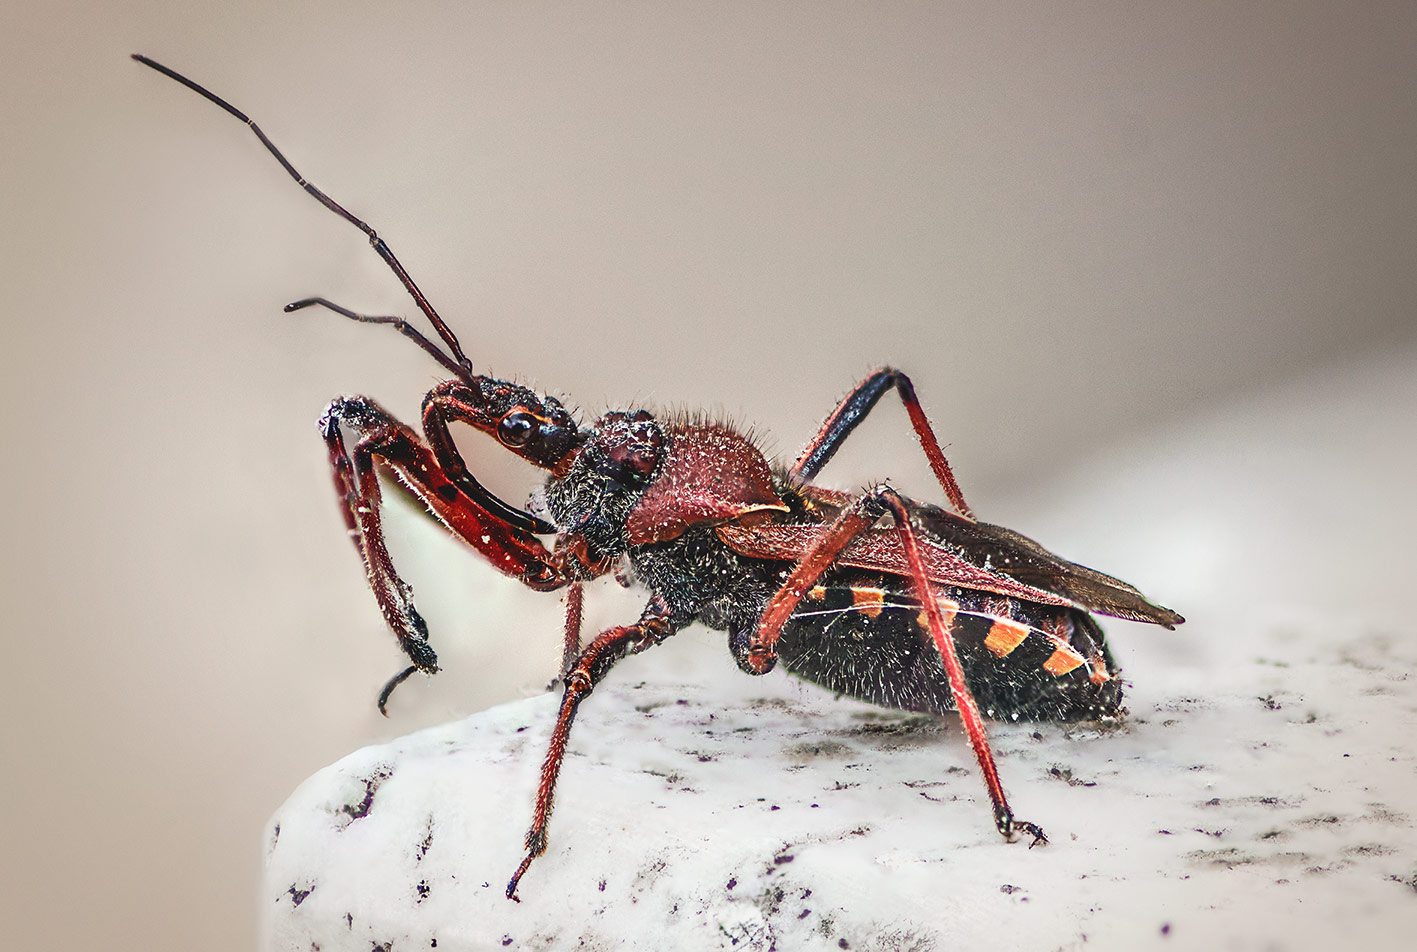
(654, 627)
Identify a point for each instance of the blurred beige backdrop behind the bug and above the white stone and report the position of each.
(1071, 223)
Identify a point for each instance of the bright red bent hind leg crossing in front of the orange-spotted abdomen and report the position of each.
(854, 521)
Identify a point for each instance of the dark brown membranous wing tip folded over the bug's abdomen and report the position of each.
(1020, 557)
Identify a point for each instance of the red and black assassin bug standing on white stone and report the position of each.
(875, 596)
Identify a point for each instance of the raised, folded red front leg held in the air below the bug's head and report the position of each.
(512, 550)
